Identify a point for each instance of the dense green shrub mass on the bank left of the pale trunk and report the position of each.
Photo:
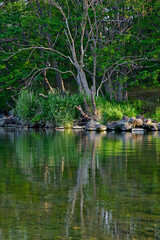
(58, 109)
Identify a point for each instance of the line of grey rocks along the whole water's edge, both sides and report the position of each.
(125, 124)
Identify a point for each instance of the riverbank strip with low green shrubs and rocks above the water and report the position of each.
(55, 111)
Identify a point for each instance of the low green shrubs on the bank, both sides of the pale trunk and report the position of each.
(61, 110)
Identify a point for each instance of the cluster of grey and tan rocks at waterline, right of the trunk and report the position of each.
(125, 124)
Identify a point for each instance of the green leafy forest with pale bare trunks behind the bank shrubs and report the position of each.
(71, 46)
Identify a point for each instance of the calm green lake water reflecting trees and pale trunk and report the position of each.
(78, 185)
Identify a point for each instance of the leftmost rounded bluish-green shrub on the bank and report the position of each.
(27, 105)
